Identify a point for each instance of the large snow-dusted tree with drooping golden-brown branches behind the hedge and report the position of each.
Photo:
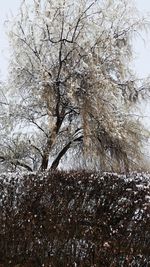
(72, 85)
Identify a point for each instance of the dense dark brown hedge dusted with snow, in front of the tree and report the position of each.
(75, 219)
